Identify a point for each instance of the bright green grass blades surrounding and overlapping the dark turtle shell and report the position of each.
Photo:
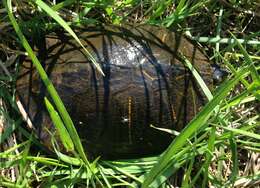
(219, 147)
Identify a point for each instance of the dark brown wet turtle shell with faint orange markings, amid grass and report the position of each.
(145, 84)
